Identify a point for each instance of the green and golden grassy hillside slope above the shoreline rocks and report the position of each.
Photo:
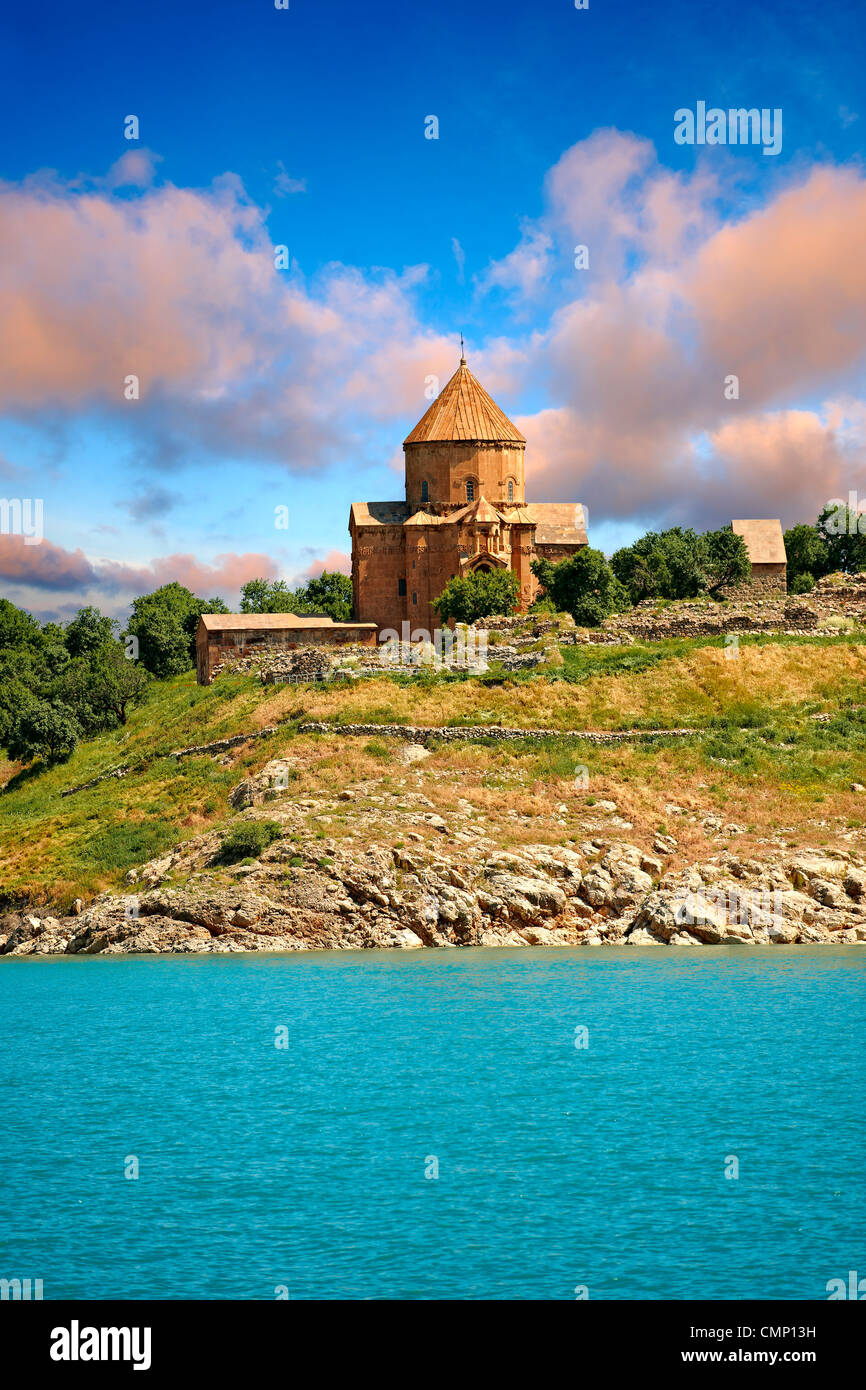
(762, 762)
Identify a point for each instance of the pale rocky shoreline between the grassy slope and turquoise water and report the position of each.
(603, 894)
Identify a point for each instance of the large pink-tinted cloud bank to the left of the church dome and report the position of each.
(179, 287)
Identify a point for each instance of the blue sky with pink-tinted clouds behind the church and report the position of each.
(307, 127)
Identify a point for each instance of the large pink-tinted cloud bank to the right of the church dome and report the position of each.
(637, 361)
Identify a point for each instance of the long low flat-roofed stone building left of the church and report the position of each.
(224, 637)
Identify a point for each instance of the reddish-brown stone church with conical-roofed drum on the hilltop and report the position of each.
(465, 512)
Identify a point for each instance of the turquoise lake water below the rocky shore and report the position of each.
(558, 1167)
